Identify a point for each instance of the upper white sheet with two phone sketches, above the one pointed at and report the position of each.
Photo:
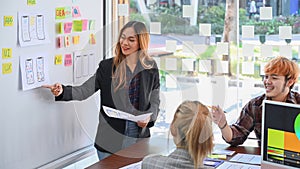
(31, 29)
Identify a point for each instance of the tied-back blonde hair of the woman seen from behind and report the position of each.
(193, 122)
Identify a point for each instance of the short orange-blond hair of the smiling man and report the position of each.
(284, 67)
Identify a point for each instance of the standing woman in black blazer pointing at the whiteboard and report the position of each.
(128, 82)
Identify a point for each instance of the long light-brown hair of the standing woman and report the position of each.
(119, 66)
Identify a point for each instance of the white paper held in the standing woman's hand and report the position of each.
(123, 115)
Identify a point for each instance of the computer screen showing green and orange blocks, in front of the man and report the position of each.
(280, 146)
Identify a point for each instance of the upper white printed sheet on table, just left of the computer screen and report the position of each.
(246, 158)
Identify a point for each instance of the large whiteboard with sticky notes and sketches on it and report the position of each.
(35, 130)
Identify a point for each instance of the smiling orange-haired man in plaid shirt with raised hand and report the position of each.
(280, 76)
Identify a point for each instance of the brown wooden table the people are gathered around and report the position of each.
(154, 145)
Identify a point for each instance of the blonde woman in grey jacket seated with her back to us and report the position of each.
(191, 129)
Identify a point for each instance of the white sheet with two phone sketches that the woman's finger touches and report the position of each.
(34, 72)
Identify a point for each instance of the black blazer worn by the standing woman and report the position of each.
(110, 133)
